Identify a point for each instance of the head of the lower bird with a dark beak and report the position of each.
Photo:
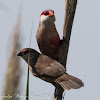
(28, 53)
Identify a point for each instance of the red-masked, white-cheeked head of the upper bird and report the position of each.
(47, 16)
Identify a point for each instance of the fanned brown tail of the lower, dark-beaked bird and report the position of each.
(69, 82)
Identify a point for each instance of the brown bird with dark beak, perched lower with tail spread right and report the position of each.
(49, 69)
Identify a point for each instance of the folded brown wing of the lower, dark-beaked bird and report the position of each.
(49, 67)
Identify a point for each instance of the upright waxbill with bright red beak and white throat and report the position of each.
(47, 36)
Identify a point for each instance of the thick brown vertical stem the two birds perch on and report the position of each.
(68, 22)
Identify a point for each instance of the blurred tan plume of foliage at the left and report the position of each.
(13, 73)
